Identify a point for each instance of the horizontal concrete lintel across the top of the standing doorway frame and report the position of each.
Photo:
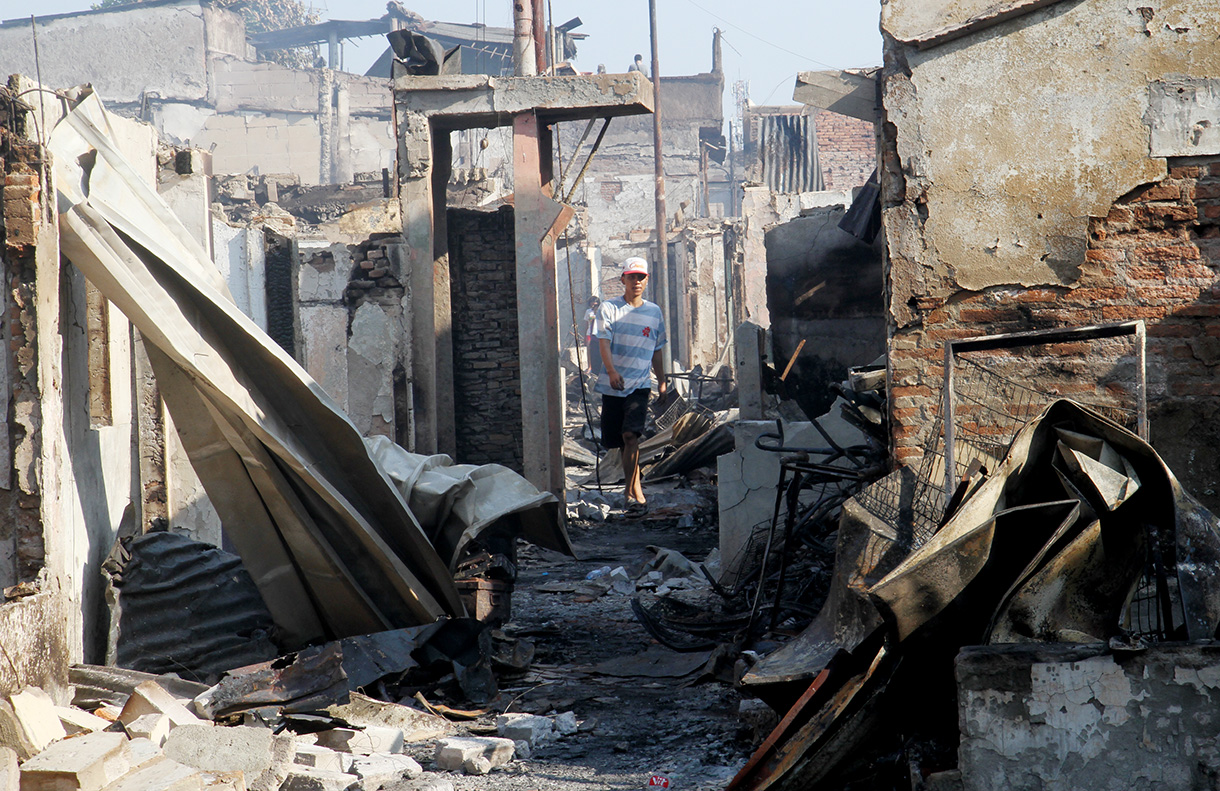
(459, 102)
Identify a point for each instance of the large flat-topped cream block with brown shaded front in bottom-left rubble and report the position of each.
(86, 764)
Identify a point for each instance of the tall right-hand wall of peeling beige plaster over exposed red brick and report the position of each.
(1022, 191)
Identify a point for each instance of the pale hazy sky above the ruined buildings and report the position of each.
(767, 42)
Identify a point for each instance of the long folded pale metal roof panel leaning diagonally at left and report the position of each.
(326, 536)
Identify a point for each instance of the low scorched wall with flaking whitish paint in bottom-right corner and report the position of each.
(1060, 718)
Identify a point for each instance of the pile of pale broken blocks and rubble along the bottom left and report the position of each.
(142, 738)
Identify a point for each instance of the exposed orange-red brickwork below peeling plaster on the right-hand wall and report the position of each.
(1155, 257)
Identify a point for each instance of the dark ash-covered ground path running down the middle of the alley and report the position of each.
(631, 728)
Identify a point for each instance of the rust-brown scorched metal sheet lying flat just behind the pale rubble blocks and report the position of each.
(306, 682)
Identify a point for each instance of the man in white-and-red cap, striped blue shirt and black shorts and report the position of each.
(631, 334)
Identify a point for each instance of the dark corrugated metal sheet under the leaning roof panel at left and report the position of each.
(186, 607)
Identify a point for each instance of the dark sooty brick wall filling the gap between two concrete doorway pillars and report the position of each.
(484, 298)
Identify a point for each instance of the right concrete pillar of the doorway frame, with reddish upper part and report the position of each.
(539, 222)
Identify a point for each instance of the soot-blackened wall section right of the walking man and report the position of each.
(824, 287)
